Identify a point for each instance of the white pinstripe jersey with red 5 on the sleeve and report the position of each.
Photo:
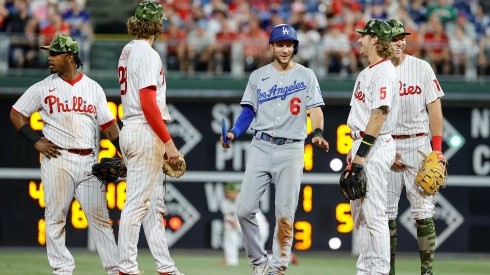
(375, 86)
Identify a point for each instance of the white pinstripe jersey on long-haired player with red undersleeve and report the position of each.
(145, 69)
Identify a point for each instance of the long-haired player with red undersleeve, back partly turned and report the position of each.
(144, 141)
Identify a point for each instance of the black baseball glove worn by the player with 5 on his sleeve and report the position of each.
(353, 182)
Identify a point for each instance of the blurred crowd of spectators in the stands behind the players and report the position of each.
(224, 36)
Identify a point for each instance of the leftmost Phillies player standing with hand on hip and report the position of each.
(72, 106)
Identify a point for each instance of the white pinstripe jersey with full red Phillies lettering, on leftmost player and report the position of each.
(69, 110)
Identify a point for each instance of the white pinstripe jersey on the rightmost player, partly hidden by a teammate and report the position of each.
(418, 87)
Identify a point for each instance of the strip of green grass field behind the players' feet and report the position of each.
(27, 261)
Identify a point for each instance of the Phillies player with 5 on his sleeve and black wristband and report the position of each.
(372, 119)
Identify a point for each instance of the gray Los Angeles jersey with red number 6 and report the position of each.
(281, 100)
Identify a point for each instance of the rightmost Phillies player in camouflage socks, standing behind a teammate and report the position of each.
(420, 116)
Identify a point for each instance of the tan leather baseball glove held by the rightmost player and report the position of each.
(432, 174)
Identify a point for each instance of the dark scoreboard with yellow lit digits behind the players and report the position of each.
(323, 221)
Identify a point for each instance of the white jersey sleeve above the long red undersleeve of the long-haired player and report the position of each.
(148, 70)
